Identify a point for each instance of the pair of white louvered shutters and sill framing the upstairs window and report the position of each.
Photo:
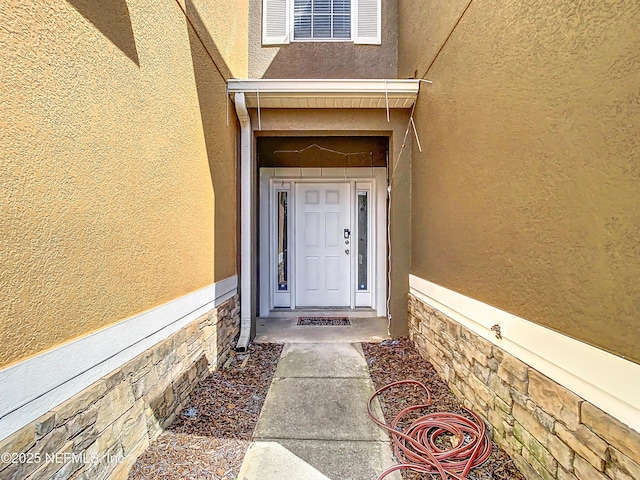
(283, 34)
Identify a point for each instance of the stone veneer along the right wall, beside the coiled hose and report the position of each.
(548, 431)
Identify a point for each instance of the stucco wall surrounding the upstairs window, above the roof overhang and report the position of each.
(324, 59)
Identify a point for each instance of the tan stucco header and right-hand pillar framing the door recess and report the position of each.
(363, 122)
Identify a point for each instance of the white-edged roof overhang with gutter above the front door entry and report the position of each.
(330, 93)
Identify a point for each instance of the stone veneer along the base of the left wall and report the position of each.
(116, 418)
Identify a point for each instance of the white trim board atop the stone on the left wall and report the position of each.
(34, 386)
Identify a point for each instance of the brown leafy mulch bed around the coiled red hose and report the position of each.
(391, 361)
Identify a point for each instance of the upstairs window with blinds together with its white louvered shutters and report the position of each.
(321, 20)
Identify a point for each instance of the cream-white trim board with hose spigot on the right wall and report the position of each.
(607, 381)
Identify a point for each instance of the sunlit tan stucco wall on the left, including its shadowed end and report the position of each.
(117, 171)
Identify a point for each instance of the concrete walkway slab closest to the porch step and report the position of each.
(329, 360)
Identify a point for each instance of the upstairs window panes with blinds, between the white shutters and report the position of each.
(322, 19)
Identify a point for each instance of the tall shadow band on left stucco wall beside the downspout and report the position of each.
(220, 140)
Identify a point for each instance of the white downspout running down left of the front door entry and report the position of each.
(245, 221)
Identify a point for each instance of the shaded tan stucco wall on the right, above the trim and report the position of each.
(526, 194)
